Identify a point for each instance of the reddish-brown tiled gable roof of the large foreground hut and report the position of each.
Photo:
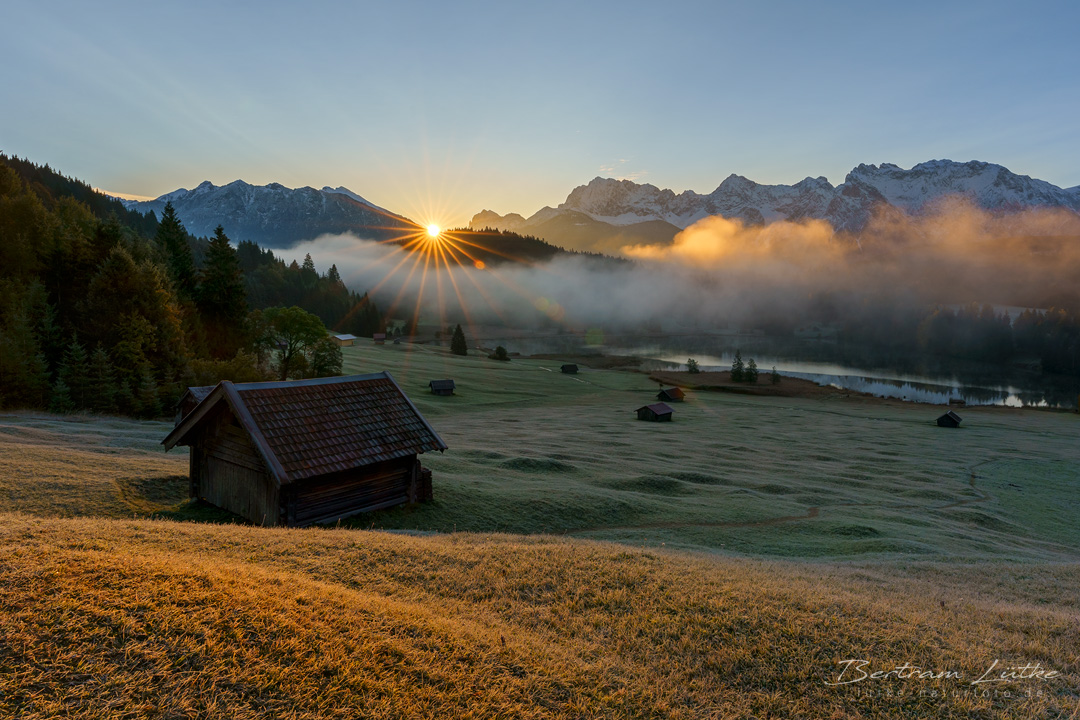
(309, 428)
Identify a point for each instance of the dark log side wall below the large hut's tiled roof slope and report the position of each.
(329, 498)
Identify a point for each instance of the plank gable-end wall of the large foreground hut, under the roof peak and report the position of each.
(227, 471)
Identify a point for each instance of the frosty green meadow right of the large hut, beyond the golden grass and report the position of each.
(534, 451)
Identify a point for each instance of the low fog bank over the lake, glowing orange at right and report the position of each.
(720, 273)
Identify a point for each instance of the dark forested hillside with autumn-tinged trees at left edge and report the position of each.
(111, 311)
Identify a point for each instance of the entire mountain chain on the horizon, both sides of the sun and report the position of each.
(607, 214)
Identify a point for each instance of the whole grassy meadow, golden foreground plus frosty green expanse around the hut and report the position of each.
(576, 564)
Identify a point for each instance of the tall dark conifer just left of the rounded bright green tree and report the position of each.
(223, 300)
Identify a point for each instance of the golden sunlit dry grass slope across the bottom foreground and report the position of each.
(157, 619)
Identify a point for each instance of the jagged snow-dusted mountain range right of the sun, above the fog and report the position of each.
(609, 214)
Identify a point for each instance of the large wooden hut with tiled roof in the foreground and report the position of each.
(307, 452)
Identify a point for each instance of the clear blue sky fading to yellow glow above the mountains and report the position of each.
(438, 111)
